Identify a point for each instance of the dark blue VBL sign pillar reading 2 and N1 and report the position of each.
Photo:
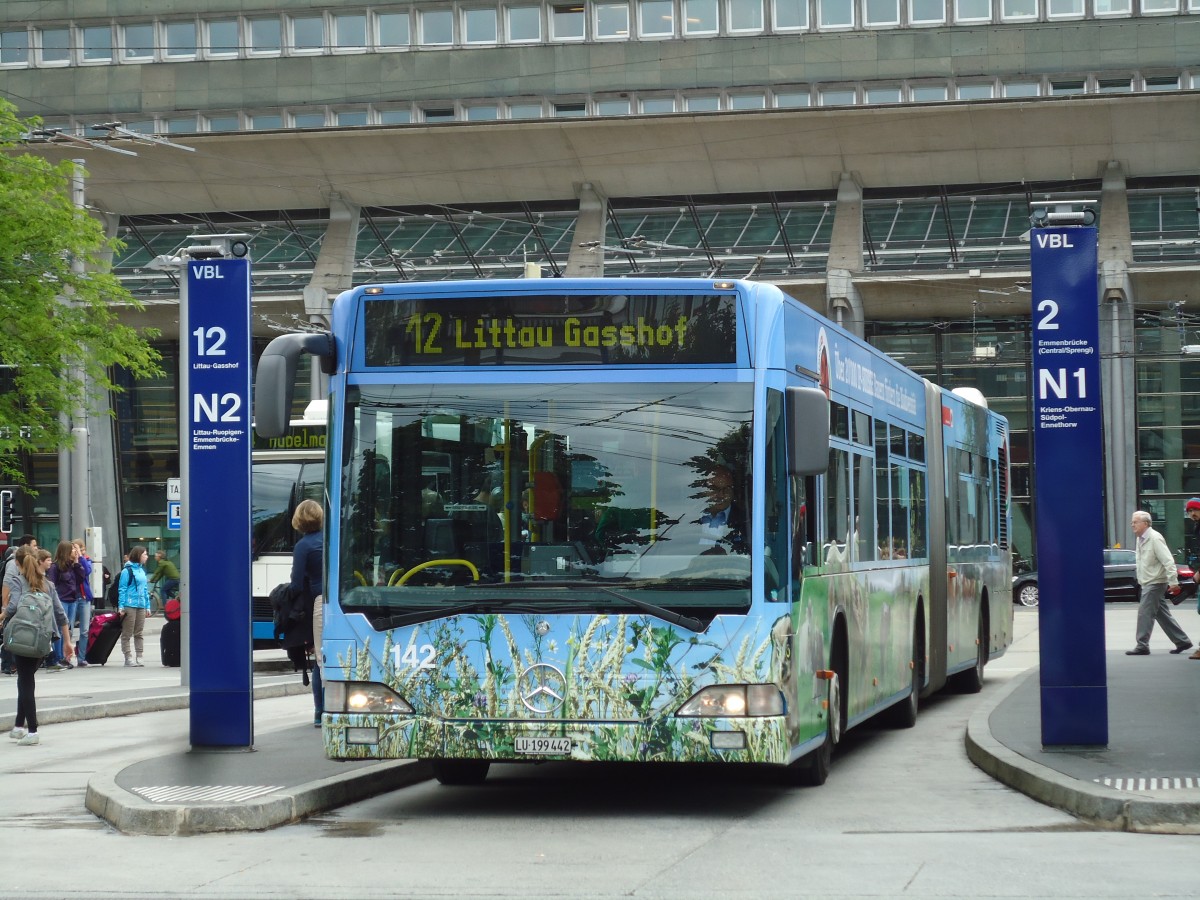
(1070, 491)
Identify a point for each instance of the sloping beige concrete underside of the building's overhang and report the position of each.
(998, 142)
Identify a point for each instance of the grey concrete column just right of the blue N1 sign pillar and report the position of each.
(1118, 370)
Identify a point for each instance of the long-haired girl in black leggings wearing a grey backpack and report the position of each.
(31, 623)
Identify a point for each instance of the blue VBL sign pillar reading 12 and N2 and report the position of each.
(215, 482)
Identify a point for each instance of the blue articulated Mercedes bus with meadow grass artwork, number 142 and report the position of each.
(639, 520)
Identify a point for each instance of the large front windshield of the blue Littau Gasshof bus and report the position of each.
(591, 496)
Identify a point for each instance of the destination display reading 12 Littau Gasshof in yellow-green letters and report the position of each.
(551, 331)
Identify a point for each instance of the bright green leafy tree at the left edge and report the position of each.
(55, 313)
